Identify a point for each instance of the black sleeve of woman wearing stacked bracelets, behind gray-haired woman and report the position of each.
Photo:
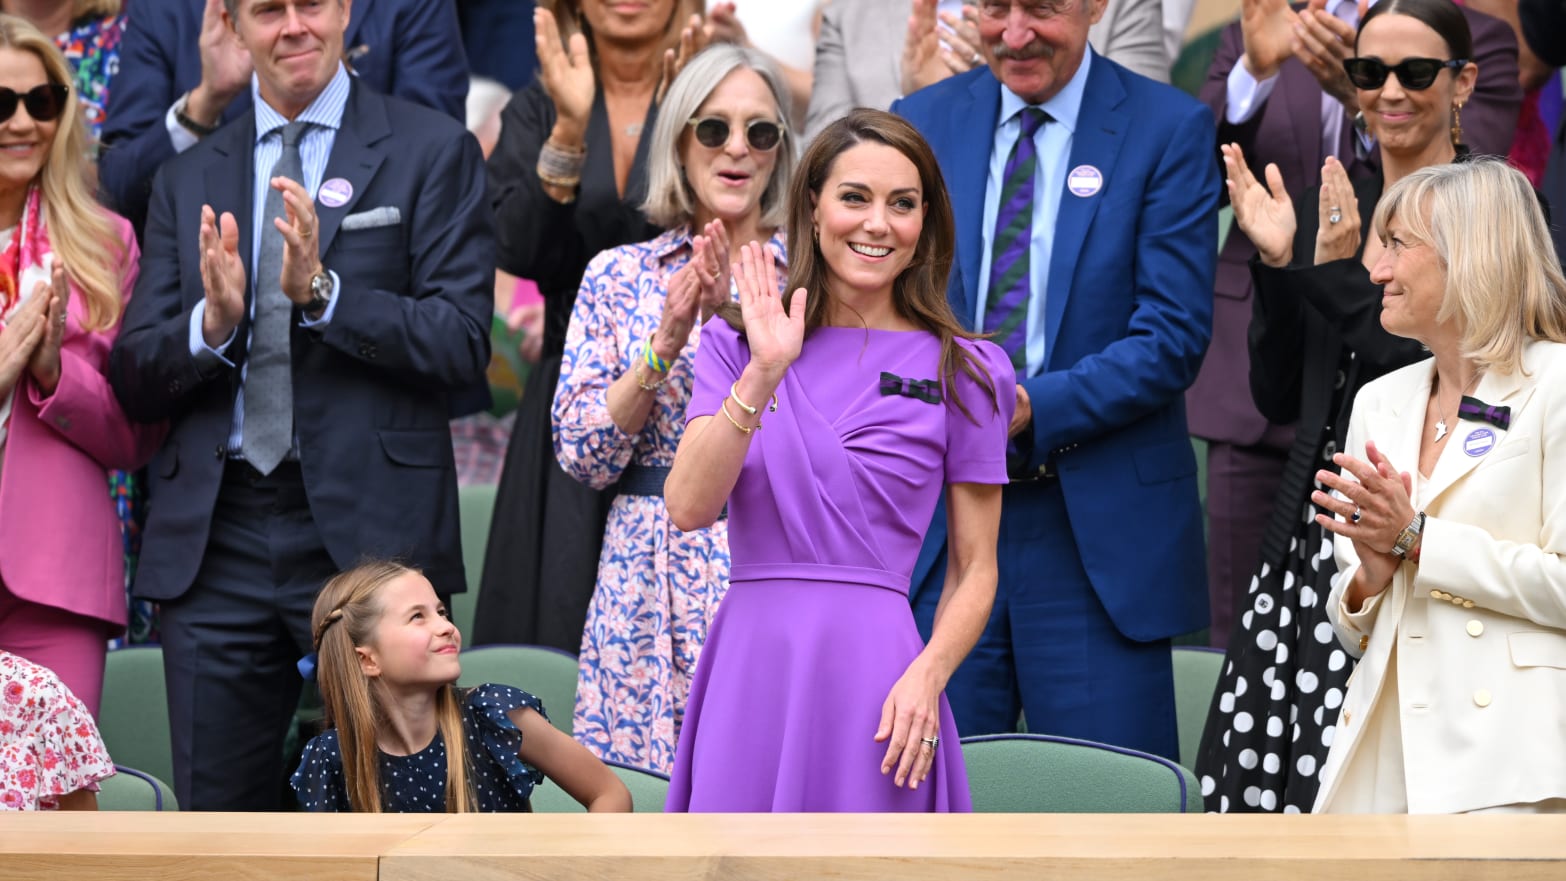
(536, 237)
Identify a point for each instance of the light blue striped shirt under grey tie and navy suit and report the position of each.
(325, 117)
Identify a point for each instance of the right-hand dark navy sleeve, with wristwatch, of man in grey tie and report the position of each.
(439, 333)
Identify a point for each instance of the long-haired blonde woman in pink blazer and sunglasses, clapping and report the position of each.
(67, 268)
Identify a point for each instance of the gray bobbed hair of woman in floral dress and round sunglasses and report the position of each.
(669, 201)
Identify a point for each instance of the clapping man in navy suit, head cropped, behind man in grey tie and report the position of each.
(182, 74)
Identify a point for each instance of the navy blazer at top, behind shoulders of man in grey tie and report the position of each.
(411, 49)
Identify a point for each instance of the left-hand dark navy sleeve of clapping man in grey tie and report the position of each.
(151, 367)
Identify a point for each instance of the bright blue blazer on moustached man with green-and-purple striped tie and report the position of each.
(1127, 322)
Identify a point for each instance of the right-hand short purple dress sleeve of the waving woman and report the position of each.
(976, 447)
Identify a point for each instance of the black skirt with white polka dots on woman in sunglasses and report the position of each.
(1282, 686)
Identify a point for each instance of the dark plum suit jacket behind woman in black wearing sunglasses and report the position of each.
(1288, 131)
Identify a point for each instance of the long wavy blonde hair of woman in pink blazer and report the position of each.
(81, 232)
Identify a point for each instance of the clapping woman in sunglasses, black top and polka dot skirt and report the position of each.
(1315, 342)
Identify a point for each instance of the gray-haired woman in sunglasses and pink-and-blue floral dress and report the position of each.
(720, 164)
